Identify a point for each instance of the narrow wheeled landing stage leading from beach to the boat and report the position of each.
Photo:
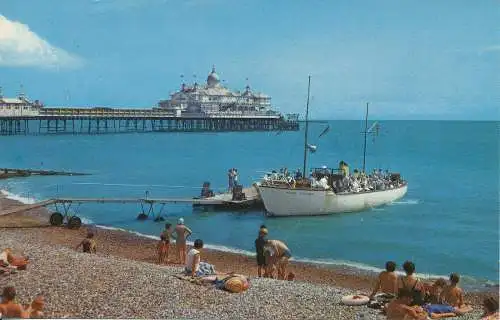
(63, 205)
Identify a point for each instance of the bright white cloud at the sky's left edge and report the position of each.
(21, 47)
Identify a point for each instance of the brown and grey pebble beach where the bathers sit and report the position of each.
(124, 281)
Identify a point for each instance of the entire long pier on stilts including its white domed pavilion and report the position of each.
(211, 107)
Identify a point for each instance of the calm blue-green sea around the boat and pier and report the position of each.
(447, 222)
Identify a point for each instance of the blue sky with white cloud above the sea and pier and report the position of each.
(421, 59)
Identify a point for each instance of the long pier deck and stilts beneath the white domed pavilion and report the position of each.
(101, 120)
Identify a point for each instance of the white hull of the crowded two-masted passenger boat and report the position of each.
(301, 202)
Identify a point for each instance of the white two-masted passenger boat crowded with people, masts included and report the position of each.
(330, 190)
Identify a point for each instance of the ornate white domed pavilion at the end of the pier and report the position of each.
(215, 99)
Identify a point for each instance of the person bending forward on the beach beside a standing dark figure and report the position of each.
(277, 255)
